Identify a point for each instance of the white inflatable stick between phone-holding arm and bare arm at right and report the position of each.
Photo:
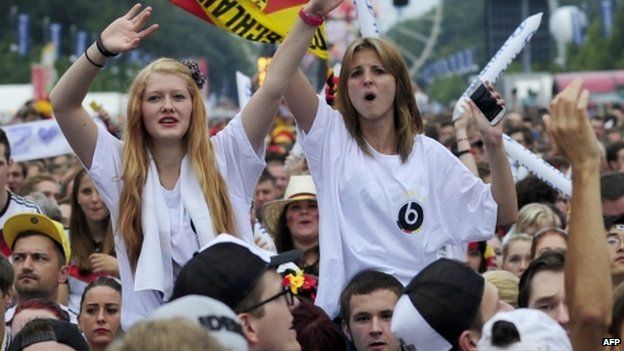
(542, 169)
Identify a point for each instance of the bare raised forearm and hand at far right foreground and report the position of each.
(587, 274)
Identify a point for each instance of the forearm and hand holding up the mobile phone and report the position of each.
(503, 187)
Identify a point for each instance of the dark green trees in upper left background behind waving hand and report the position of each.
(181, 35)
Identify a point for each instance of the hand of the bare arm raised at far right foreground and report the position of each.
(568, 126)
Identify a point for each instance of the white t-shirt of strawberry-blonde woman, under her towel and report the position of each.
(239, 165)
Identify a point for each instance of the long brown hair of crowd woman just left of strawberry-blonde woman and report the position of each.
(81, 239)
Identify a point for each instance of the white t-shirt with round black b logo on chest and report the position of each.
(376, 212)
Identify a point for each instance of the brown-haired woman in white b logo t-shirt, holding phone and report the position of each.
(389, 197)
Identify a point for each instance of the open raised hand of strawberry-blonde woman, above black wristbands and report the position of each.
(126, 32)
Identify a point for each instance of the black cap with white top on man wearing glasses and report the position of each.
(227, 270)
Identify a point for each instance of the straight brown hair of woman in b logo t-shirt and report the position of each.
(407, 119)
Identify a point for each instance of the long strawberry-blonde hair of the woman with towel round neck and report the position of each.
(136, 164)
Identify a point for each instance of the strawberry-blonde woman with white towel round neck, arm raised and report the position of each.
(165, 183)
